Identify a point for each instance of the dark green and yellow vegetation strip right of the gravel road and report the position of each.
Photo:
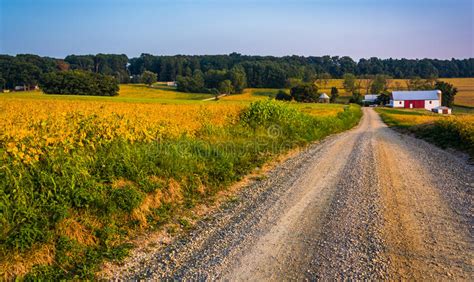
(456, 131)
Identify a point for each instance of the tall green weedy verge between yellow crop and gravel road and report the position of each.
(64, 214)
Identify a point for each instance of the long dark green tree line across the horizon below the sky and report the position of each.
(226, 73)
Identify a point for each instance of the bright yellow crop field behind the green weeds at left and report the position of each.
(31, 127)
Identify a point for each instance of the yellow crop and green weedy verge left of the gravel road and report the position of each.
(79, 177)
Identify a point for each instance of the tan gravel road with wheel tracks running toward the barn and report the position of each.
(369, 203)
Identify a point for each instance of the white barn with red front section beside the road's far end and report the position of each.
(416, 99)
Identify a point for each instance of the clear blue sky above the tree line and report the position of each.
(357, 28)
